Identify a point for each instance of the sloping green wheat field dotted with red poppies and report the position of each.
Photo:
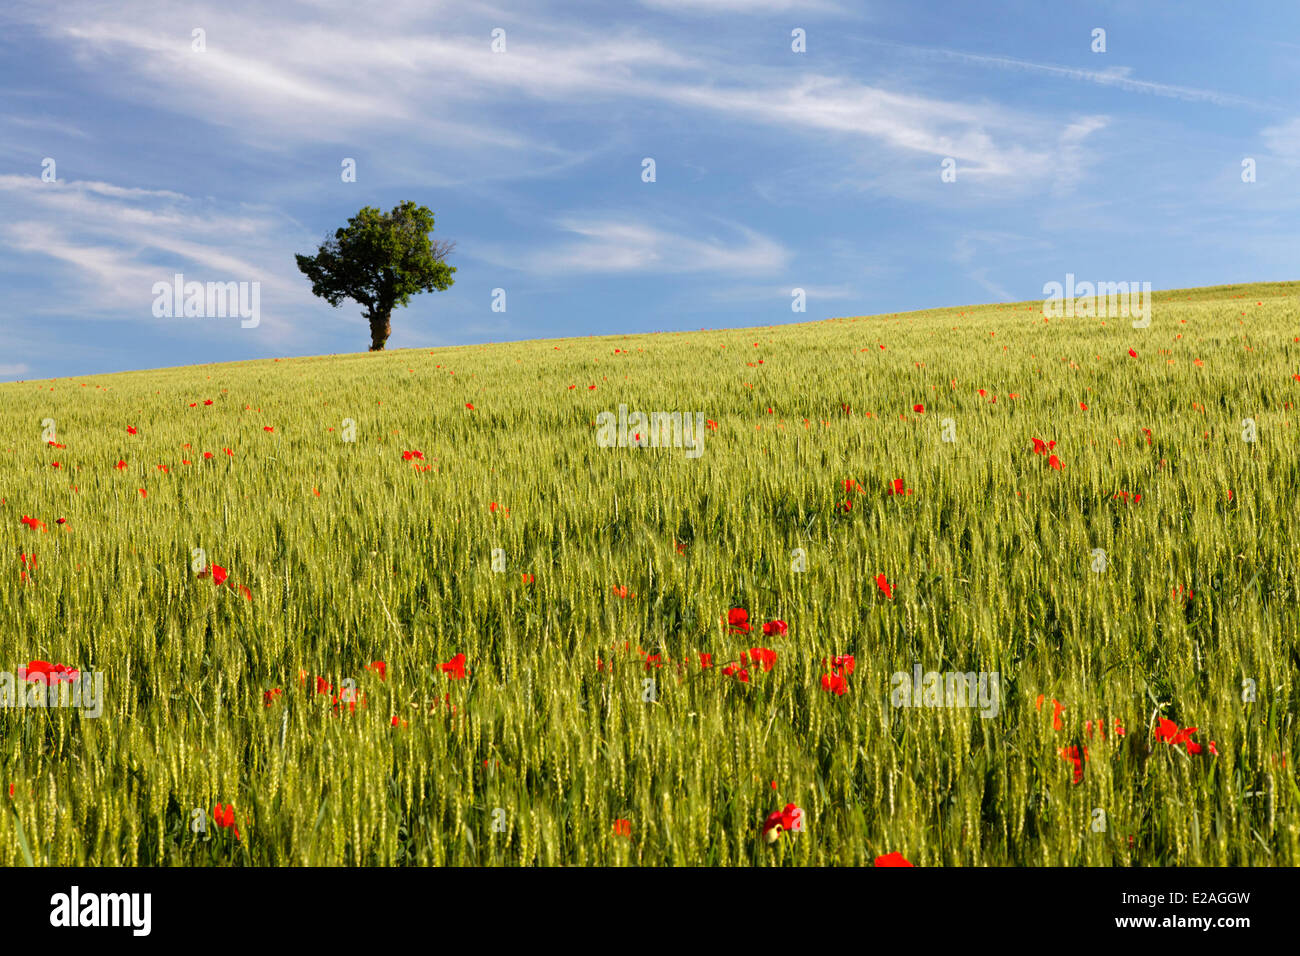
(872, 483)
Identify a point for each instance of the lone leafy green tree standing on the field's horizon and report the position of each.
(380, 261)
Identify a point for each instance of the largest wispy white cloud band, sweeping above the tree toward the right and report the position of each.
(343, 79)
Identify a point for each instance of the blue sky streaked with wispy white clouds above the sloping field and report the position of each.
(774, 170)
